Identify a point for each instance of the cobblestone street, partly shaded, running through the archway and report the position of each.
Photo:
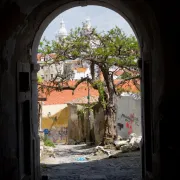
(65, 165)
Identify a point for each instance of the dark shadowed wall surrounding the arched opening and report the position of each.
(23, 23)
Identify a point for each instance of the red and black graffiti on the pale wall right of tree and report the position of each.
(129, 122)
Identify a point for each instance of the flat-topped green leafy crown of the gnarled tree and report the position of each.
(113, 47)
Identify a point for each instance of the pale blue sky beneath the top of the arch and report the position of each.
(102, 18)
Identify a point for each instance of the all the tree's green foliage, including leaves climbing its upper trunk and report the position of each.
(113, 48)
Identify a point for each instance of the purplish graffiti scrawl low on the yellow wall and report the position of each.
(58, 134)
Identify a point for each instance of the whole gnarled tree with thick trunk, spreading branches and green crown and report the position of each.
(102, 51)
